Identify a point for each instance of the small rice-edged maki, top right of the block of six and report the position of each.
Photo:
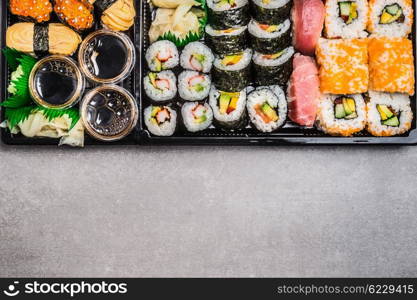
(197, 57)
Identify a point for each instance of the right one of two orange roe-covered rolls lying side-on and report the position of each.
(391, 65)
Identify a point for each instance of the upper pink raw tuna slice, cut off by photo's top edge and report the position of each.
(308, 20)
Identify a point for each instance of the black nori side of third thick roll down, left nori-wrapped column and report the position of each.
(231, 81)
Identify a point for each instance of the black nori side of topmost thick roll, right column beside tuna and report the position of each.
(271, 16)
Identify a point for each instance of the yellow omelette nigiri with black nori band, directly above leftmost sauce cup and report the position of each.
(51, 38)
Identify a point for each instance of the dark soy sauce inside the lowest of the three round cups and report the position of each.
(109, 113)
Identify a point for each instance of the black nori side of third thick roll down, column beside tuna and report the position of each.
(267, 75)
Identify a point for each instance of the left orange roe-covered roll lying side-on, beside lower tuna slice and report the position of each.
(343, 66)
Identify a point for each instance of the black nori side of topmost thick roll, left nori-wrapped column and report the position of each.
(229, 18)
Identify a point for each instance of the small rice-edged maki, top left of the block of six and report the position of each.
(162, 55)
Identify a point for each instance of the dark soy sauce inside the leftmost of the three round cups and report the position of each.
(56, 82)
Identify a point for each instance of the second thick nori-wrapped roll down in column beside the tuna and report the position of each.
(269, 39)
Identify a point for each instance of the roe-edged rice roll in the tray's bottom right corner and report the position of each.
(388, 114)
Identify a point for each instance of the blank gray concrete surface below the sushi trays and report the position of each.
(210, 211)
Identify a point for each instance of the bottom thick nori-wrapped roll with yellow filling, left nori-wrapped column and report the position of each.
(228, 108)
